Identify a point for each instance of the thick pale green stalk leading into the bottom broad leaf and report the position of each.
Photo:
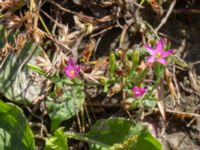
(81, 137)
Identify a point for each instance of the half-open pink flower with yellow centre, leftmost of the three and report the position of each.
(72, 70)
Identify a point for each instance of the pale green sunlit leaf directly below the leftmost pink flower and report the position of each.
(65, 106)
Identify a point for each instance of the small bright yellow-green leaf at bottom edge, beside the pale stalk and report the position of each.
(57, 142)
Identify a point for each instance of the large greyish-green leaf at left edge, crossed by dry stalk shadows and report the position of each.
(17, 82)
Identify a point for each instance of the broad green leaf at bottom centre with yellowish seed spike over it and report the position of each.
(118, 133)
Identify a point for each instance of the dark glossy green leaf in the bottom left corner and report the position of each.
(15, 132)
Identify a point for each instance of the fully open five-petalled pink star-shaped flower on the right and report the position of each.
(158, 54)
